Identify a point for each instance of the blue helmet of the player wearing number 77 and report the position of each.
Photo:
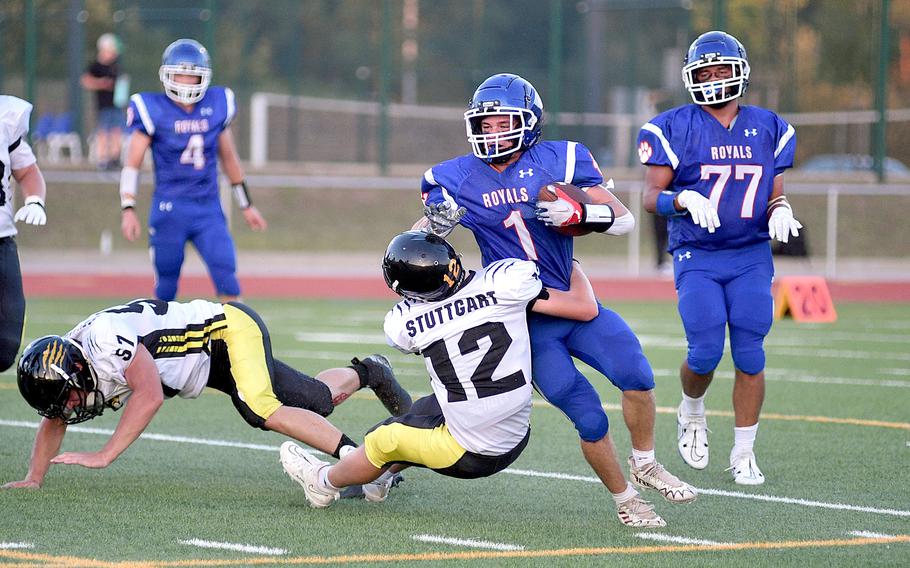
(716, 48)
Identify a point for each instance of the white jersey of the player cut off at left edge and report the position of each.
(15, 154)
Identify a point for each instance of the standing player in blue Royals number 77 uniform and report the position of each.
(715, 169)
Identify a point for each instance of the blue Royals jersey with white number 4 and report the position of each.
(184, 144)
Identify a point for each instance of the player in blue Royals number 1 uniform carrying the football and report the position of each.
(493, 191)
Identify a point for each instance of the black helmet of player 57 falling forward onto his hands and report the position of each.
(50, 368)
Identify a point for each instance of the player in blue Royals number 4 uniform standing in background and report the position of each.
(188, 129)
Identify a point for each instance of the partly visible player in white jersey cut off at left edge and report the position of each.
(16, 162)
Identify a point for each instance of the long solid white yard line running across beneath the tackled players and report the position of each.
(522, 472)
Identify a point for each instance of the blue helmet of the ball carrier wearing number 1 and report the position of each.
(509, 95)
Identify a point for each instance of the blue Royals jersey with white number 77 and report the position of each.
(734, 168)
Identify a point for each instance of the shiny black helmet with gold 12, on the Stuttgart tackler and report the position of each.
(422, 266)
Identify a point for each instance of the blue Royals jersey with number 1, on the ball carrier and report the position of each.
(501, 206)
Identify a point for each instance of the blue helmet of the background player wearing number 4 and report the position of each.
(185, 57)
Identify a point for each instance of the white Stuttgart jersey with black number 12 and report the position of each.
(478, 353)
